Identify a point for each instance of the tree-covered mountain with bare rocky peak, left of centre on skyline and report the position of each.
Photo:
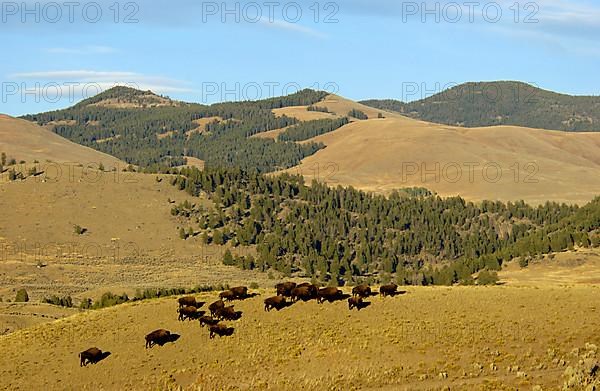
(161, 135)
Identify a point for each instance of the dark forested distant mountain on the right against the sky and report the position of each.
(502, 103)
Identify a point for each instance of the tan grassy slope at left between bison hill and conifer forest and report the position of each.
(132, 241)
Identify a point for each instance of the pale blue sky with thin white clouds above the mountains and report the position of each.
(55, 55)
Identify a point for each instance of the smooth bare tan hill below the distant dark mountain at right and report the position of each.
(381, 155)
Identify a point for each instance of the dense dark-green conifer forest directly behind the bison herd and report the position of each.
(337, 234)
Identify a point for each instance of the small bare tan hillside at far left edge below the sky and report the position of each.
(27, 141)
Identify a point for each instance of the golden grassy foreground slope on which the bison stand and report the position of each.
(463, 338)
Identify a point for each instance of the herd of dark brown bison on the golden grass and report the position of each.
(288, 293)
